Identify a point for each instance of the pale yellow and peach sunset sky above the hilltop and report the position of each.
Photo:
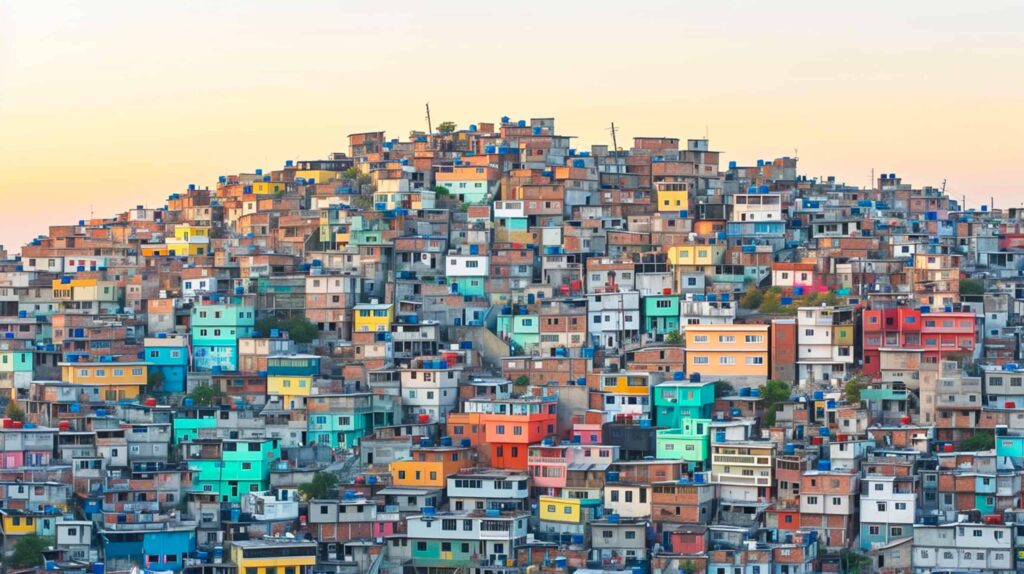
(108, 105)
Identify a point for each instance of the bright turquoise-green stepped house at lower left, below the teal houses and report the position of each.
(232, 468)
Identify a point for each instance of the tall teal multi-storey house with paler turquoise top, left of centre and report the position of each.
(217, 329)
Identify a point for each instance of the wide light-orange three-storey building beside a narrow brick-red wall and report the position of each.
(729, 352)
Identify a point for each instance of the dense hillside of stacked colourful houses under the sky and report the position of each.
(486, 350)
